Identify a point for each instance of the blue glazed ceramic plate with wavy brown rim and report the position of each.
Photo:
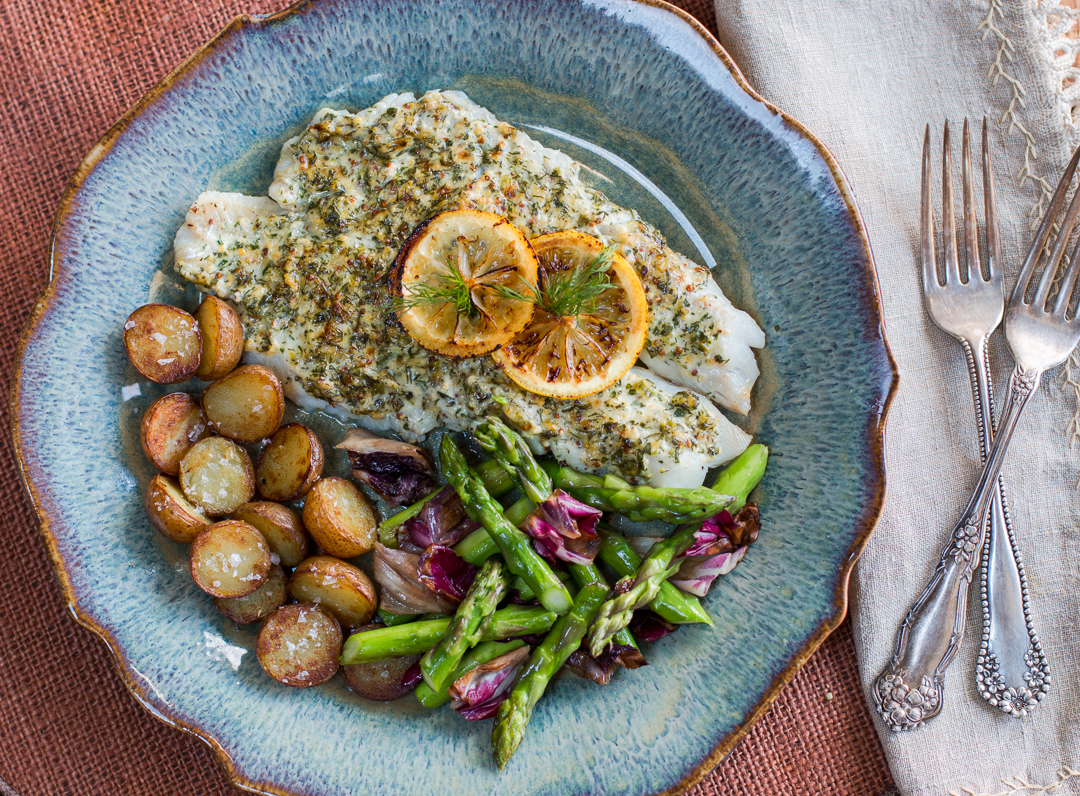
(641, 93)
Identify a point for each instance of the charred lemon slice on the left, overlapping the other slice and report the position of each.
(463, 281)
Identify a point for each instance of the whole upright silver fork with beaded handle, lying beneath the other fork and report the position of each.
(1011, 672)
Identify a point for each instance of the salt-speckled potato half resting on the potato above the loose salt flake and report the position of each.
(231, 560)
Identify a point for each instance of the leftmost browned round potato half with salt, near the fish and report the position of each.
(164, 343)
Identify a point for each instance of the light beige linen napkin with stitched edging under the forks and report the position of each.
(867, 78)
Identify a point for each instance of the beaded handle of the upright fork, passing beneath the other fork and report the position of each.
(1011, 671)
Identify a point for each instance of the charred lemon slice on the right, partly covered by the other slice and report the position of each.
(590, 322)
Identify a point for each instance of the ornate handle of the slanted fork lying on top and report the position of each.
(911, 690)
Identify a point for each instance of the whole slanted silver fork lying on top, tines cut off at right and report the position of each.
(910, 691)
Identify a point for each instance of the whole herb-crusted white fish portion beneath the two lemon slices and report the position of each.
(308, 276)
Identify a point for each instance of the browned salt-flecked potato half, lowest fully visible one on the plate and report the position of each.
(300, 645)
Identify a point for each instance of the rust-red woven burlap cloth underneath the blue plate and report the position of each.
(69, 726)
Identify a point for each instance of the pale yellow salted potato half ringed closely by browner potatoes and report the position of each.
(218, 476)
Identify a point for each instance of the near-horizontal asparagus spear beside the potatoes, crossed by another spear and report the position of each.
(418, 638)
